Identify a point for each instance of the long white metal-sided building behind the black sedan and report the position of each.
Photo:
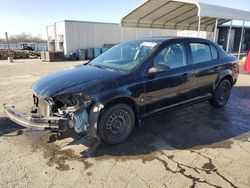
(70, 36)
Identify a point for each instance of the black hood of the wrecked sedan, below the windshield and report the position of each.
(72, 80)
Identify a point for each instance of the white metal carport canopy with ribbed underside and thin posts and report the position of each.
(183, 15)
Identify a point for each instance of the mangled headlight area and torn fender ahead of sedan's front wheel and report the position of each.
(81, 110)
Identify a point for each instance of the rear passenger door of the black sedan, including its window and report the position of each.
(204, 58)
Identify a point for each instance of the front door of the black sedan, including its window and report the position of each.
(171, 87)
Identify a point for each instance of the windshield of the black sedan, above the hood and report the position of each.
(124, 56)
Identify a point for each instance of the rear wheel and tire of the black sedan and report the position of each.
(221, 94)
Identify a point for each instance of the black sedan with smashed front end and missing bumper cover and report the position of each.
(133, 80)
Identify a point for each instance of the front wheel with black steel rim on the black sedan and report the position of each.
(116, 123)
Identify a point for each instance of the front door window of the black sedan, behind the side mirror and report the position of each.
(173, 56)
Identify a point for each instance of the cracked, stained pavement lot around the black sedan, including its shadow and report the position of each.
(198, 146)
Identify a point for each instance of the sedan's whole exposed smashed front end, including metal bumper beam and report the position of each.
(60, 113)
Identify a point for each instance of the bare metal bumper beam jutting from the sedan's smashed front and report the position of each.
(35, 122)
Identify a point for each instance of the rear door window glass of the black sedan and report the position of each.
(200, 52)
